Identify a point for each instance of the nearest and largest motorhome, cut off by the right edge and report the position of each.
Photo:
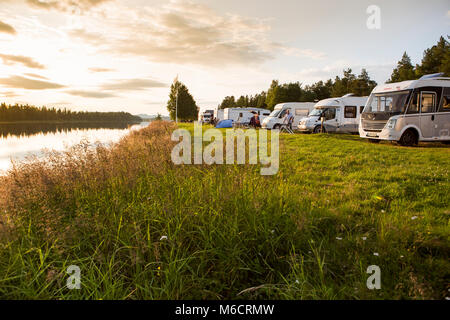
(408, 112)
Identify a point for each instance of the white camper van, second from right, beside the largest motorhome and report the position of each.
(339, 115)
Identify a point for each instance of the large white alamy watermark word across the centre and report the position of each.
(235, 140)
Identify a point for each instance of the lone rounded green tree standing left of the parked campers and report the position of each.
(187, 107)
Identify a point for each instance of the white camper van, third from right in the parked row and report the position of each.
(298, 109)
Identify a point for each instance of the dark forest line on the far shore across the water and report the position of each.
(18, 112)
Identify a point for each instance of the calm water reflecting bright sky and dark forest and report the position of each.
(19, 141)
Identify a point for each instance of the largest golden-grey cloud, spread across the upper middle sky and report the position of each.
(185, 32)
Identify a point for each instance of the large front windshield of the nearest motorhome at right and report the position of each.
(387, 102)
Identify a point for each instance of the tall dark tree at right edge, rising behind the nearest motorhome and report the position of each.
(435, 59)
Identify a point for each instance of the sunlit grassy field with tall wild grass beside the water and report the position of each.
(140, 227)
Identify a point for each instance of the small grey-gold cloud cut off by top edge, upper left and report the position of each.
(74, 6)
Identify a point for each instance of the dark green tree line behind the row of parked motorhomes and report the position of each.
(435, 59)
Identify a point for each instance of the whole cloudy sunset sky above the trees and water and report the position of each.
(114, 55)
